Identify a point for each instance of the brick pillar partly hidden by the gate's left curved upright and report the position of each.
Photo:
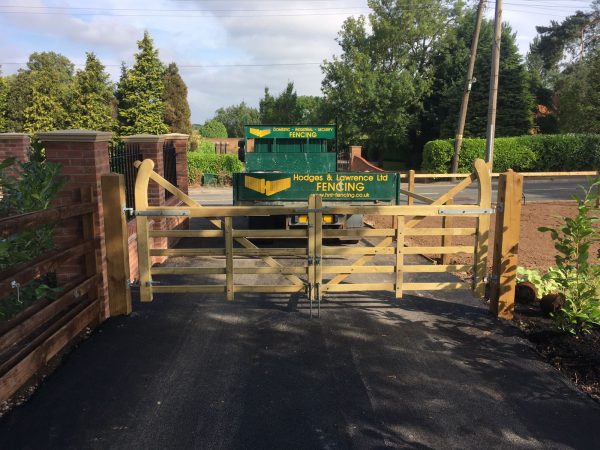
(151, 147)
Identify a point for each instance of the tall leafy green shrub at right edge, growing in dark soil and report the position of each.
(576, 272)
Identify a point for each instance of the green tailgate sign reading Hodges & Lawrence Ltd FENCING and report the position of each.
(338, 186)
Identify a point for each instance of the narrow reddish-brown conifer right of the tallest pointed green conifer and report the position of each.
(177, 109)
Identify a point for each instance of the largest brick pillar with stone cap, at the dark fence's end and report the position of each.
(84, 157)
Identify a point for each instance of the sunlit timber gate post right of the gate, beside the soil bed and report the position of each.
(506, 246)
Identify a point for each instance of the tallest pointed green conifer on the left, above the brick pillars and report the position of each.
(140, 92)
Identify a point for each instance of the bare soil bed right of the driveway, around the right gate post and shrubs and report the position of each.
(577, 357)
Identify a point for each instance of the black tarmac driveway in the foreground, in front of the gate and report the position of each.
(195, 371)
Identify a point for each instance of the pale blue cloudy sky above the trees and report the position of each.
(227, 50)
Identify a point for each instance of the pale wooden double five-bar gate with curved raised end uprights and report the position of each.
(229, 252)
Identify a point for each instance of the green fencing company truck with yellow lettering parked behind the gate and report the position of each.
(288, 163)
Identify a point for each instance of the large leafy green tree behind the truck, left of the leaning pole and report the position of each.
(377, 87)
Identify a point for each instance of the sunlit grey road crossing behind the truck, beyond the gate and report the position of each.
(535, 190)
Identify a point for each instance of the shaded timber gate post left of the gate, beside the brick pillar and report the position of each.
(117, 247)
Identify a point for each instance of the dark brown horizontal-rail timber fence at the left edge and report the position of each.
(44, 304)
